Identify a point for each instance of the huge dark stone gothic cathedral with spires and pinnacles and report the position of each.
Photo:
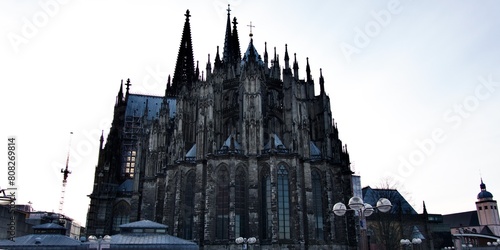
(244, 150)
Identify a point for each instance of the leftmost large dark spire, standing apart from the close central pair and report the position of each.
(184, 67)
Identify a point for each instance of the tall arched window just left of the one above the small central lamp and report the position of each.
(222, 205)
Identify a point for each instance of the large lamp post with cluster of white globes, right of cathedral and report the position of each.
(364, 210)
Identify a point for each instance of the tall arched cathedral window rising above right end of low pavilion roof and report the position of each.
(189, 205)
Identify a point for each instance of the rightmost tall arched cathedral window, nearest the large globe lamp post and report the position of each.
(317, 192)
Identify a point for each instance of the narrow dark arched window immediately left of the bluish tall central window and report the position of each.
(265, 210)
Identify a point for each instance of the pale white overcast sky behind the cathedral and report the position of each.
(414, 85)
